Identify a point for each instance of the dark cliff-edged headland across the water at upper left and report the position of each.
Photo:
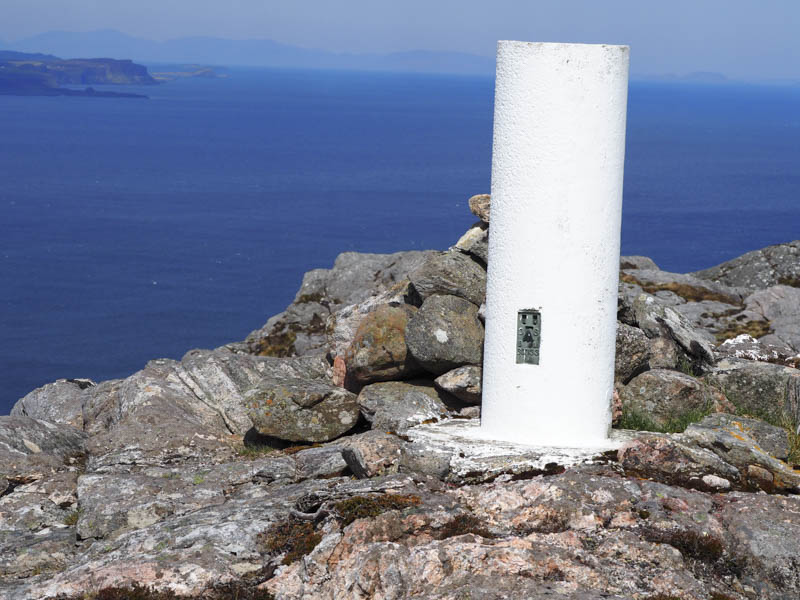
(24, 74)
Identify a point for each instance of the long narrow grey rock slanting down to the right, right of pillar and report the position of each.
(658, 320)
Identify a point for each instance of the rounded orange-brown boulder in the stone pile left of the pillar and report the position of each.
(378, 351)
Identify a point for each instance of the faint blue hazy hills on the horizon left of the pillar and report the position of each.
(255, 52)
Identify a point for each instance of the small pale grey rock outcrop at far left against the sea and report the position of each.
(57, 402)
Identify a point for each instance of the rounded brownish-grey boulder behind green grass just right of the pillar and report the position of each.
(663, 397)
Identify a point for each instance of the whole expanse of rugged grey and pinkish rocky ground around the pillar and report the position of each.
(304, 462)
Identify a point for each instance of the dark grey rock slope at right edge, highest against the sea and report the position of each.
(759, 269)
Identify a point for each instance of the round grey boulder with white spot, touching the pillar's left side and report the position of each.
(445, 333)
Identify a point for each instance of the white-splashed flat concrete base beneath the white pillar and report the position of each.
(475, 458)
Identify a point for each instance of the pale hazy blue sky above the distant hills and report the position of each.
(752, 39)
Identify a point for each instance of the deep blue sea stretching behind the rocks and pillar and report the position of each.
(135, 229)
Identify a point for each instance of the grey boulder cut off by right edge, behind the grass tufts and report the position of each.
(764, 390)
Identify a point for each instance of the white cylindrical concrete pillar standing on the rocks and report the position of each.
(557, 165)
